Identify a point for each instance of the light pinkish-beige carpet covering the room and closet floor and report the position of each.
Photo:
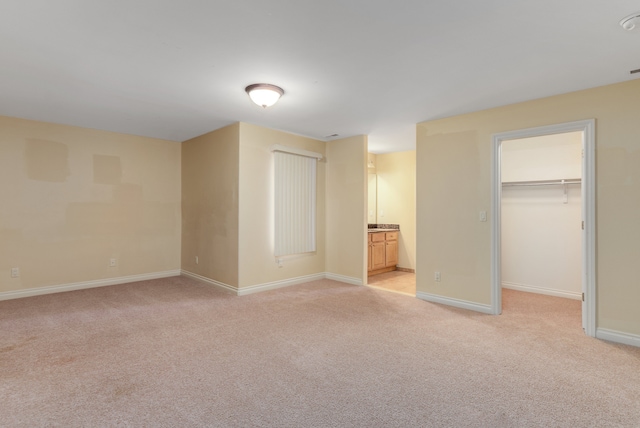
(177, 353)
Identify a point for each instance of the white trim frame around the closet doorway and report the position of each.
(588, 190)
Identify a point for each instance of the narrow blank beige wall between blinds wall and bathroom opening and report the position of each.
(347, 207)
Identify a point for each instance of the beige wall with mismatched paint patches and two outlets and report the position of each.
(72, 198)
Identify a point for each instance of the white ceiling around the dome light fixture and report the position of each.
(177, 69)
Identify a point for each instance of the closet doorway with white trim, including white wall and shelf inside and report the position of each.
(543, 227)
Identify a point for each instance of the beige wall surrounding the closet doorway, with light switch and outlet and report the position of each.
(453, 184)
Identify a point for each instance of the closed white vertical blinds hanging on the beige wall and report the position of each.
(295, 203)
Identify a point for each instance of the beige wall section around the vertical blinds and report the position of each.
(257, 263)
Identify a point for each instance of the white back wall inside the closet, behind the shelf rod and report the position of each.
(541, 224)
